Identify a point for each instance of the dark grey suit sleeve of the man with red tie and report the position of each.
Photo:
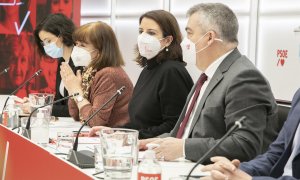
(247, 94)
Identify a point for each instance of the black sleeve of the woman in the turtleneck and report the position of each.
(173, 90)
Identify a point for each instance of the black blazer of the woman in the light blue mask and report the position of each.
(61, 109)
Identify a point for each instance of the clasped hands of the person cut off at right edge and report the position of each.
(223, 168)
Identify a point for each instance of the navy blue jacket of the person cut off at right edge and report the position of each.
(271, 164)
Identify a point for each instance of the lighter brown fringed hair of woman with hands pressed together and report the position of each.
(104, 40)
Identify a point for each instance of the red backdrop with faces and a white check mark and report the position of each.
(18, 19)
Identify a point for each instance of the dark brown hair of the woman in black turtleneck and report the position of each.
(169, 26)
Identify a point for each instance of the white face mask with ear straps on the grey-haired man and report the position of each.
(189, 49)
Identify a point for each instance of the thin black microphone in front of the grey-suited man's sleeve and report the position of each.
(237, 125)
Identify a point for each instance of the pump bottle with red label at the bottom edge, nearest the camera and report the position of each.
(149, 168)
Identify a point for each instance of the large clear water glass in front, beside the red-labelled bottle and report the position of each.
(119, 148)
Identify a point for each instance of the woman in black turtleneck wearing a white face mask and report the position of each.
(163, 85)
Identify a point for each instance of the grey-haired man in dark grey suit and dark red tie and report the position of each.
(229, 88)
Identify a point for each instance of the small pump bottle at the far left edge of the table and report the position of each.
(10, 115)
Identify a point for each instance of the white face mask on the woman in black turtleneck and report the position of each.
(149, 46)
